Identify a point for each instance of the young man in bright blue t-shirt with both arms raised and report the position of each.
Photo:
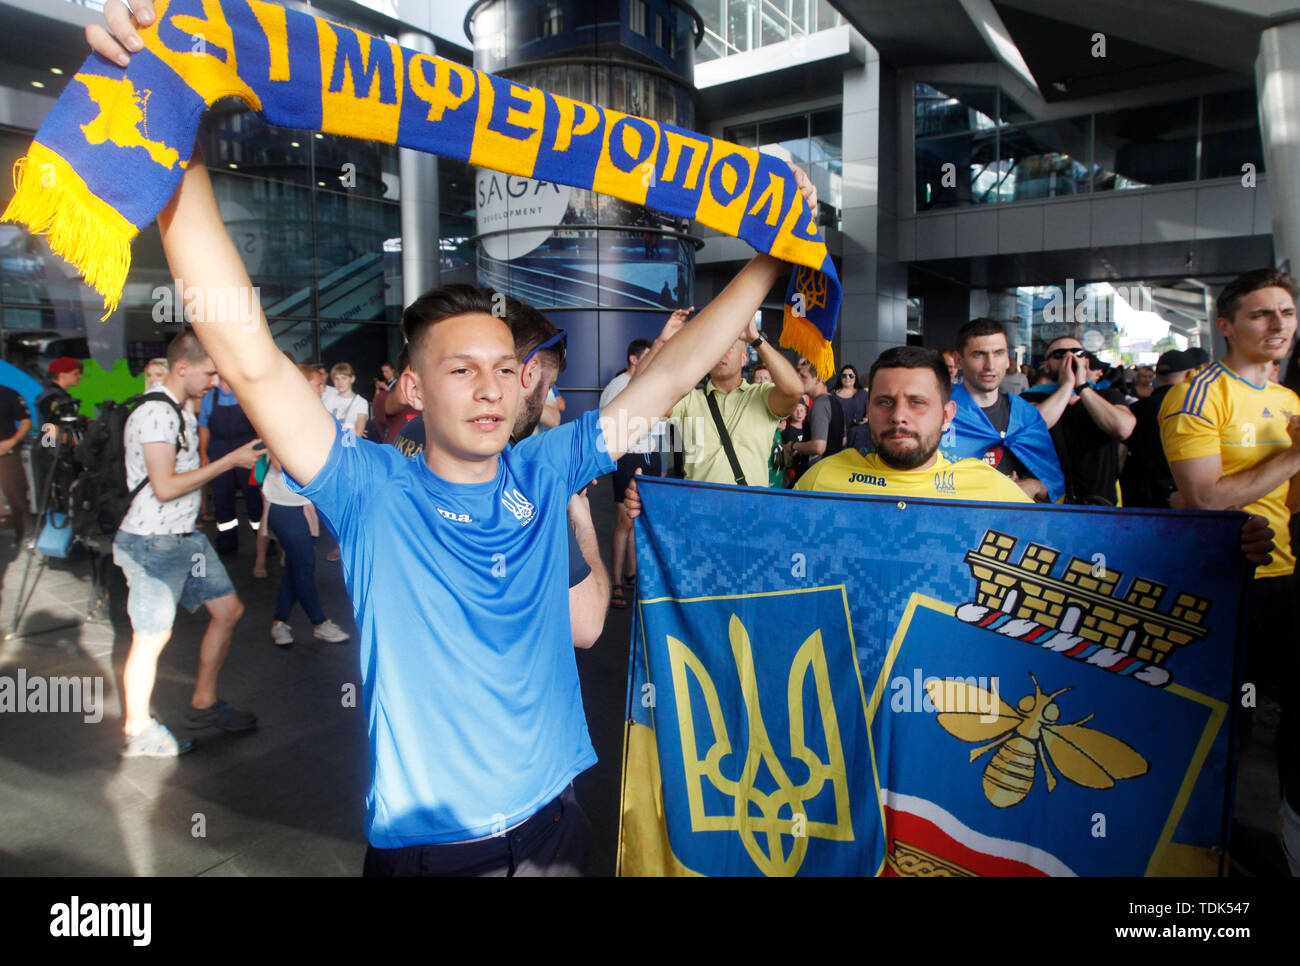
(457, 562)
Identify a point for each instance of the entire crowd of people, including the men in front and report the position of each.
(465, 527)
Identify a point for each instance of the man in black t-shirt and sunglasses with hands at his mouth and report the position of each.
(1087, 423)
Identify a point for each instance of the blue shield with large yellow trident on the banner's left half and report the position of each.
(753, 720)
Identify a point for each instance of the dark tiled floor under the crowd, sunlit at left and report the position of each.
(287, 799)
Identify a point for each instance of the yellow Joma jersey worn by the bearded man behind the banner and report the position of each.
(850, 471)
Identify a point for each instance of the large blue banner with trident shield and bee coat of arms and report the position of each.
(857, 686)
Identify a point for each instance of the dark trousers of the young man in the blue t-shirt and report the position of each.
(553, 843)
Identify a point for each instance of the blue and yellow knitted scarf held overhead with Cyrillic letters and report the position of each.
(112, 151)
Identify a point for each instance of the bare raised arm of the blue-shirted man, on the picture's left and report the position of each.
(278, 400)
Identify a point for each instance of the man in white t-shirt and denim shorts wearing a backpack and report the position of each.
(167, 562)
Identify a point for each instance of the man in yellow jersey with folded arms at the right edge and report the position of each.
(1230, 436)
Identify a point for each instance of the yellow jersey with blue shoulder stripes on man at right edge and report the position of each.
(1221, 413)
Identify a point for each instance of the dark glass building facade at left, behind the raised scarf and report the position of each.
(315, 219)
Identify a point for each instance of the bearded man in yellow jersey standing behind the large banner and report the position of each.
(908, 411)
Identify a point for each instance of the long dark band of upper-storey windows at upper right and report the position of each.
(977, 146)
